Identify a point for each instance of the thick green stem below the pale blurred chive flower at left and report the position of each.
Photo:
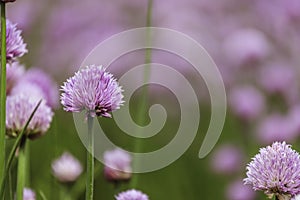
(21, 169)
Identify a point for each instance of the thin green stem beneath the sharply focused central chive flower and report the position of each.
(90, 161)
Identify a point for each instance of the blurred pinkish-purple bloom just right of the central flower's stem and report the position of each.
(117, 165)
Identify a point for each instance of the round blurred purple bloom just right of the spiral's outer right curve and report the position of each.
(246, 102)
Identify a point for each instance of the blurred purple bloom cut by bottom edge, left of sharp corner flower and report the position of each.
(238, 191)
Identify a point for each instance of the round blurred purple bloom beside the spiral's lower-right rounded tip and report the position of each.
(227, 159)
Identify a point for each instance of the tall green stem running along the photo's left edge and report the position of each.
(3, 90)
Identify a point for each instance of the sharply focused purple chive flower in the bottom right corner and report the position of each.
(275, 170)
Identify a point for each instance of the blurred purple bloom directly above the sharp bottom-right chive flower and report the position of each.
(276, 127)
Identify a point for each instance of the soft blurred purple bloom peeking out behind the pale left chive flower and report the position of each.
(47, 85)
